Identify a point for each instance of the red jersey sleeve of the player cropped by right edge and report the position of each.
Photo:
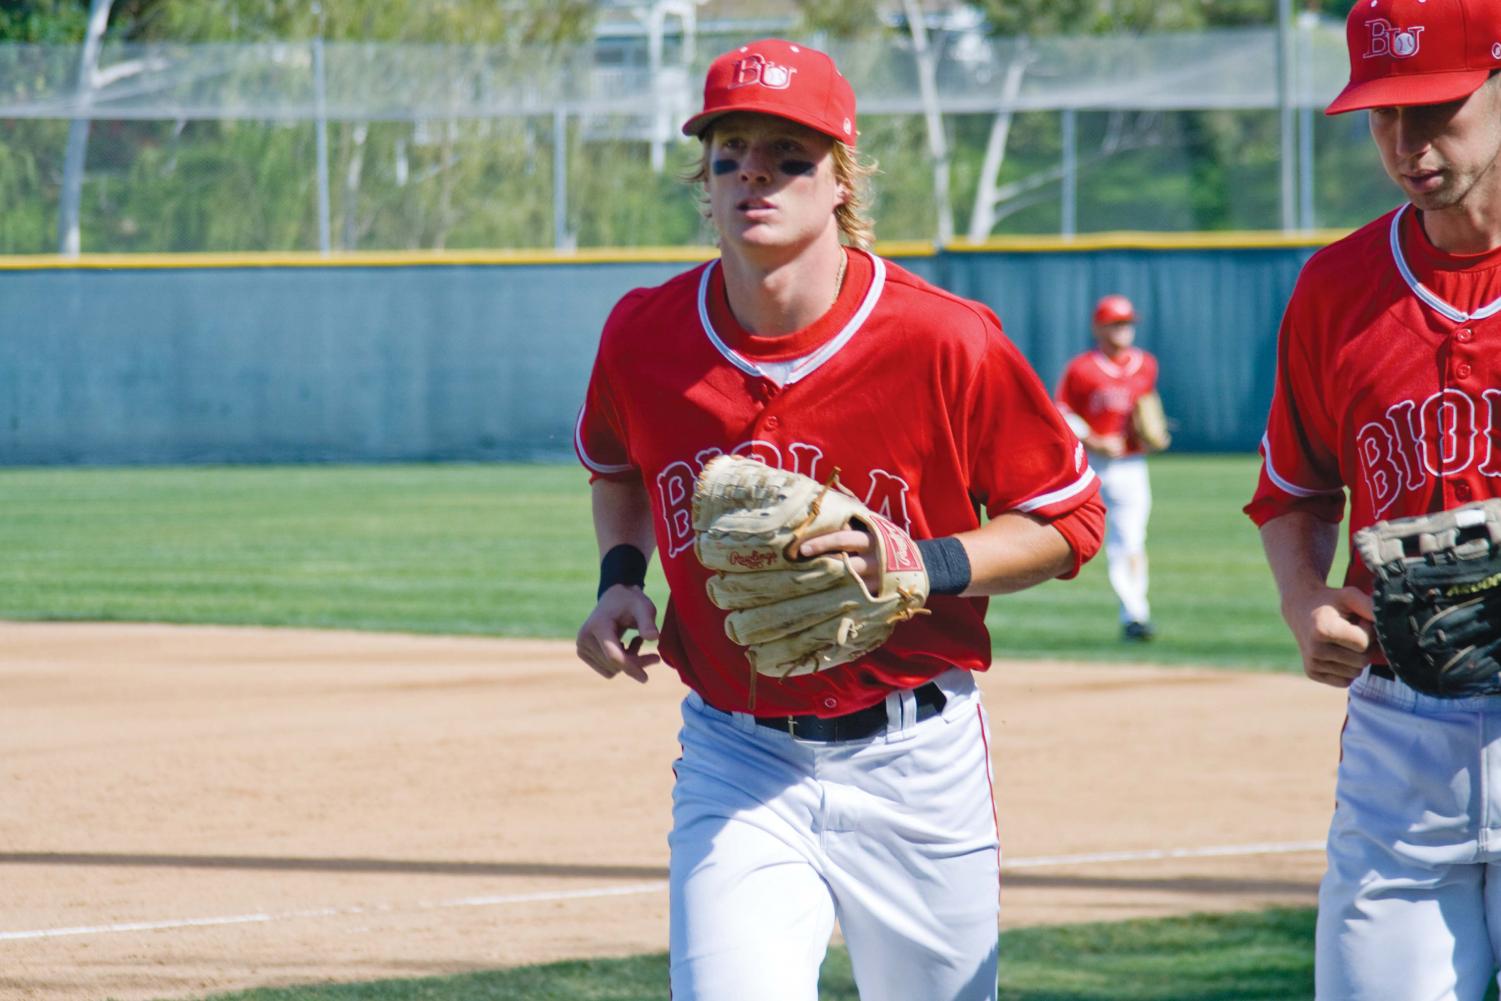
(1299, 458)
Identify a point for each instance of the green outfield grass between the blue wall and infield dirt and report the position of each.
(508, 552)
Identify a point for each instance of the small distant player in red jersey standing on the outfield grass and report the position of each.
(1098, 394)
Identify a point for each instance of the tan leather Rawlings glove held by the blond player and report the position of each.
(793, 615)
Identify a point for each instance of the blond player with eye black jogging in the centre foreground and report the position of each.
(859, 793)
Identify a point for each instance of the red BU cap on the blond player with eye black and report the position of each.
(783, 79)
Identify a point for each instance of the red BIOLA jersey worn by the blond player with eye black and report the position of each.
(919, 400)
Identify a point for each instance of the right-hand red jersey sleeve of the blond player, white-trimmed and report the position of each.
(1023, 457)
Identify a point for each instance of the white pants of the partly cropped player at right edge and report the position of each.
(1406, 907)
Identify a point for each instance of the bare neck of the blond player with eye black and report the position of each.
(778, 298)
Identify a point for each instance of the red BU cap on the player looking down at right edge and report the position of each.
(1418, 52)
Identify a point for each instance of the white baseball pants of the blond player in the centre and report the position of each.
(895, 837)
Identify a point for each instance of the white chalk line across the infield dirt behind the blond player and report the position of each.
(1038, 862)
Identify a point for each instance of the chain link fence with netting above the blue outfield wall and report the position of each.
(337, 148)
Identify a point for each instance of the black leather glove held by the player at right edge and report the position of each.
(1439, 598)
